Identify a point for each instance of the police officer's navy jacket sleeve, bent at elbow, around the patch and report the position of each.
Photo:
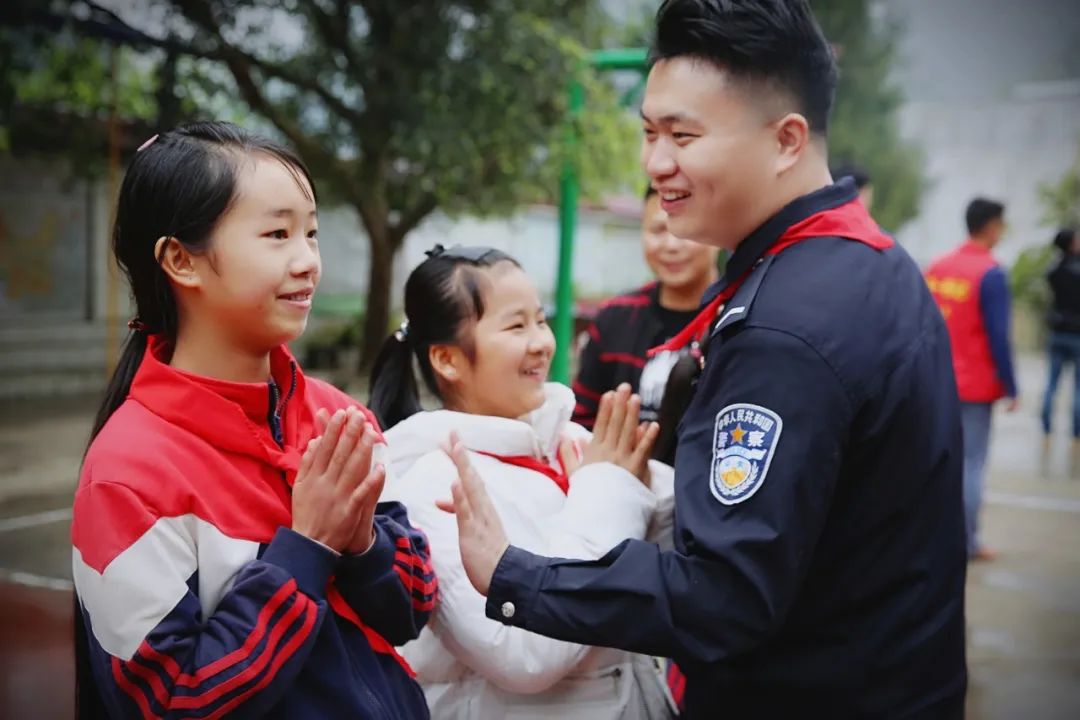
(739, 567)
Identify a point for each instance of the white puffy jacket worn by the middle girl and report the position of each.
(476, 669)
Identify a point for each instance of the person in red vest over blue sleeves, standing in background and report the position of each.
(973, 292)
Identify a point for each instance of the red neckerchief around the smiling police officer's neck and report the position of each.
(849, 221)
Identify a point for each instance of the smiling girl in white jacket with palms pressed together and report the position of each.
(477, 336)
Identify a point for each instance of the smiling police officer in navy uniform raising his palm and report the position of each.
(819, 562)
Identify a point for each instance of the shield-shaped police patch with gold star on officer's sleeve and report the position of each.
(745, 441)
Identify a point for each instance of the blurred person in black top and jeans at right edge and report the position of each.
(1064, 323)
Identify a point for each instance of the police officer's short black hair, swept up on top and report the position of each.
(774, 45)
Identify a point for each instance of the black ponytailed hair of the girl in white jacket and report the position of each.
(443, 298)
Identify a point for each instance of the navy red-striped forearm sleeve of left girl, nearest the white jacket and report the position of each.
(393, 587)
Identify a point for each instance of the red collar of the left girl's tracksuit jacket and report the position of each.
(233, 417)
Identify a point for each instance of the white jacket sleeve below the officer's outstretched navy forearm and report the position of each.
(510, 658)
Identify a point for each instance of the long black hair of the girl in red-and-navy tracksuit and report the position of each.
(179, 185)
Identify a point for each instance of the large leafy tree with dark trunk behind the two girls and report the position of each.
(401, 108)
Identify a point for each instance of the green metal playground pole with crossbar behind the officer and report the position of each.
(623, 59)
